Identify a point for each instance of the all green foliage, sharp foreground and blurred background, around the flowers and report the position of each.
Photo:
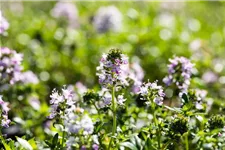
(152, 32)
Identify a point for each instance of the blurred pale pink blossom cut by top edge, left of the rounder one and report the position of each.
(67, 10)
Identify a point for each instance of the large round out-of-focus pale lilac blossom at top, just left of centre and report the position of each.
(107, 18)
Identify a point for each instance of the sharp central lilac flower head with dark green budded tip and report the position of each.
(110, 71)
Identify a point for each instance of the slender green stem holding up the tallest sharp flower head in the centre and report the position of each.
(114, 117)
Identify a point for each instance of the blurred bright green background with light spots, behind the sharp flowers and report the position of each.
(151, 31)
